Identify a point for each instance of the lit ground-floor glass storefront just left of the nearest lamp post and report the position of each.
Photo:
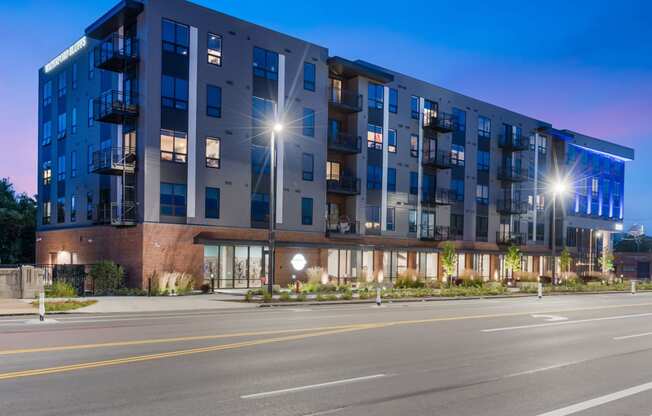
(235, 267)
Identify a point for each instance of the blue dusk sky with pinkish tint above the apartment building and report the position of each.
(581, 65)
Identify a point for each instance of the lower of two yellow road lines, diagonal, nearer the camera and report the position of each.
(171, 354)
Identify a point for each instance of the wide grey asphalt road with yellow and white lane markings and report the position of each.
(564, 355)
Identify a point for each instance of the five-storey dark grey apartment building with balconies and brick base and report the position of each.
(154, 151)
